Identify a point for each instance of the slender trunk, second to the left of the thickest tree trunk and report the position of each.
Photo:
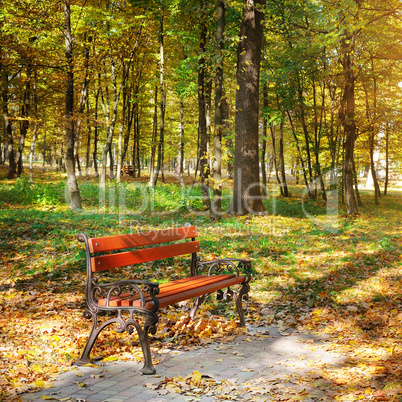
(202, 119)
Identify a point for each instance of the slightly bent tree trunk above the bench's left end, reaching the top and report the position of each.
(71, 178)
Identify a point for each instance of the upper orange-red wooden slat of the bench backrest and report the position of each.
(102, 244)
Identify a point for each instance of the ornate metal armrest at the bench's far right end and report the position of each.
(235, 266)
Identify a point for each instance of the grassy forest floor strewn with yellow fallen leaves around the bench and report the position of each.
(325, 275)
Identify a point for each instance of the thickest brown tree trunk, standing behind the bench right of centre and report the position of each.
(247, 190)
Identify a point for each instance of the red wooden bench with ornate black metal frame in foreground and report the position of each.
(134, 303)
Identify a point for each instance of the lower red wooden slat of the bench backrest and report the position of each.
(105, 262)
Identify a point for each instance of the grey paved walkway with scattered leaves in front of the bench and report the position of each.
(266, 364)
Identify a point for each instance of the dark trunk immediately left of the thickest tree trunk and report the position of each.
(219, 112)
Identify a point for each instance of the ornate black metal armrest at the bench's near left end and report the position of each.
(133, 288)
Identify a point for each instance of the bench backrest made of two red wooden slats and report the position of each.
(139, 251)
